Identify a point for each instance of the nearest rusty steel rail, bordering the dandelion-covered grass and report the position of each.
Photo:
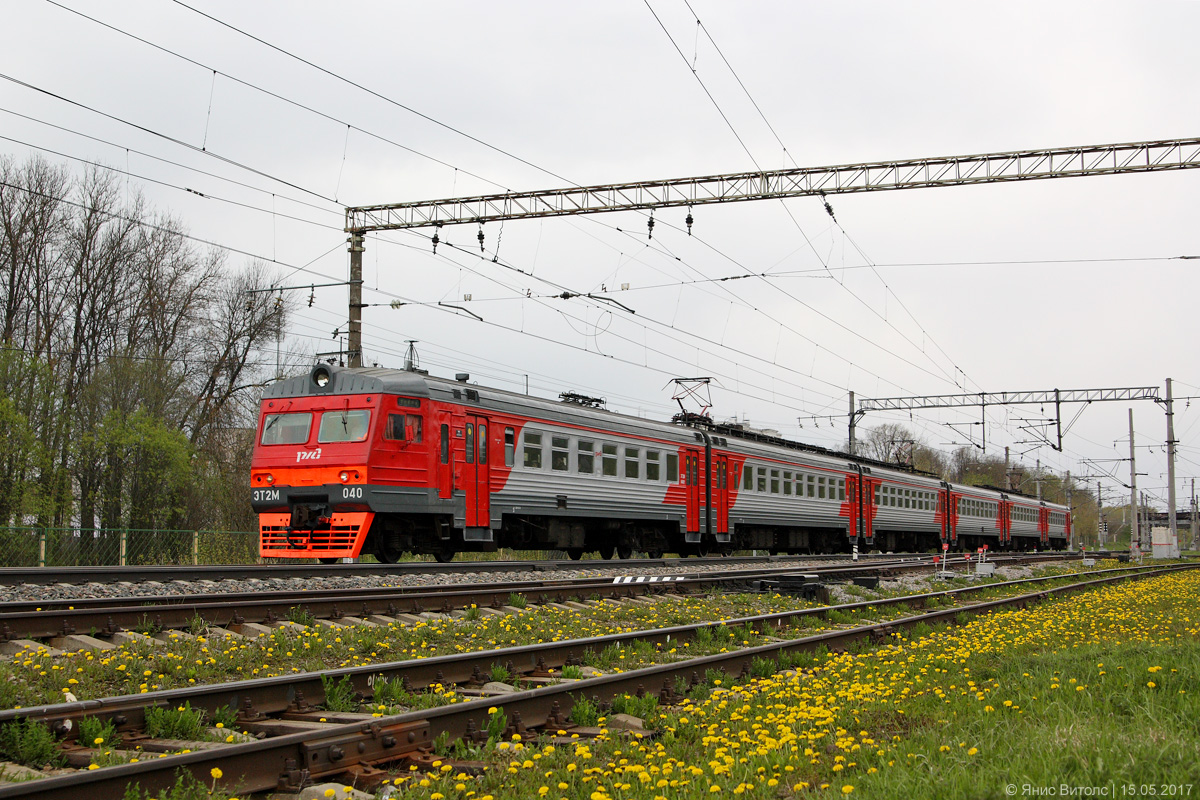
(289, 761)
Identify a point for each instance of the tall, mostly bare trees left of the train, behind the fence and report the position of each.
(130, 360)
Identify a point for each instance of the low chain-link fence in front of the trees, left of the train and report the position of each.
(124, 548)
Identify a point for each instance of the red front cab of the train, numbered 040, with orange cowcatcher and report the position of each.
(333, 453)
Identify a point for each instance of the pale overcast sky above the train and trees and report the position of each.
(1066, 284)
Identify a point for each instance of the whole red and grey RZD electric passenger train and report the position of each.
(386, 462)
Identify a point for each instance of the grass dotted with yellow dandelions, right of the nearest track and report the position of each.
(1096, 689)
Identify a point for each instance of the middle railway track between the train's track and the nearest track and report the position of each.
(74, 624)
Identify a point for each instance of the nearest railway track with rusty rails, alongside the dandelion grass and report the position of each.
(304, 743)
